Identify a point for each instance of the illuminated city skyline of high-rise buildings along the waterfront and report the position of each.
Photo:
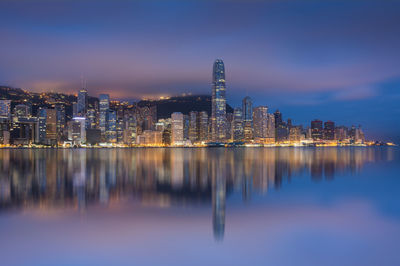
(102, 122)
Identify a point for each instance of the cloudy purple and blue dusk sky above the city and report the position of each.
(332, 60)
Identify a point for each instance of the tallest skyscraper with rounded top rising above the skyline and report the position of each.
(218, 108)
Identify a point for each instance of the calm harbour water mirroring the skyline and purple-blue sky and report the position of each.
(233, 206)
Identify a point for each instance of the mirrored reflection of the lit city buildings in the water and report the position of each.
(51, 178)
